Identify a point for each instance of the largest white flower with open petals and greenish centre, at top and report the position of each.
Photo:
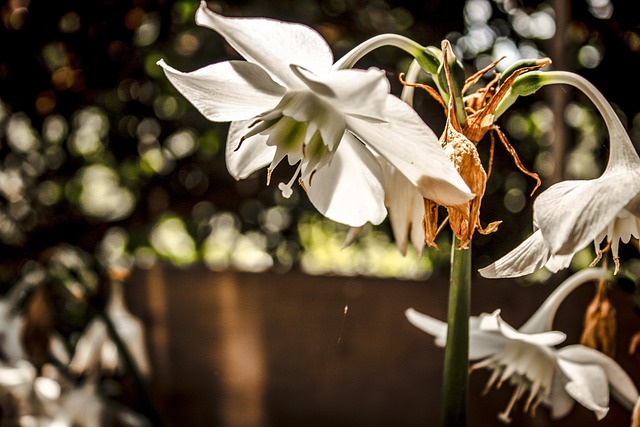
(287, 100)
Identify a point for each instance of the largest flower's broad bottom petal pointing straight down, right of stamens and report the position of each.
(349, 189)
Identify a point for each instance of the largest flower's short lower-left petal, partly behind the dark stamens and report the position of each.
(247, 157)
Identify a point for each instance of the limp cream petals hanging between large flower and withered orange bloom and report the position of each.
(406, 208)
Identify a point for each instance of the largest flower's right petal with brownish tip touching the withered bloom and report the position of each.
(410, 145)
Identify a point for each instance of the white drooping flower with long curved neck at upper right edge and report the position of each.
(571, 214)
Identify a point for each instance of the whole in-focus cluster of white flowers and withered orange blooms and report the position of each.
(359, 150)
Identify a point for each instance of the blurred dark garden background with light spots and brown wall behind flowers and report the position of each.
(251, 311)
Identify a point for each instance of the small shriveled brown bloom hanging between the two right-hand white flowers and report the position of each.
(600, 323)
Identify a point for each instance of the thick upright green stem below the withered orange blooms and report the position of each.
(455, 390)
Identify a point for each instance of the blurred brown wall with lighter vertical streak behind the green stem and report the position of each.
(240, 349)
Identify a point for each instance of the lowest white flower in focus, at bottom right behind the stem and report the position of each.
(528, 360)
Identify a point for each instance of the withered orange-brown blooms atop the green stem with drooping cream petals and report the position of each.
(417, 219)
